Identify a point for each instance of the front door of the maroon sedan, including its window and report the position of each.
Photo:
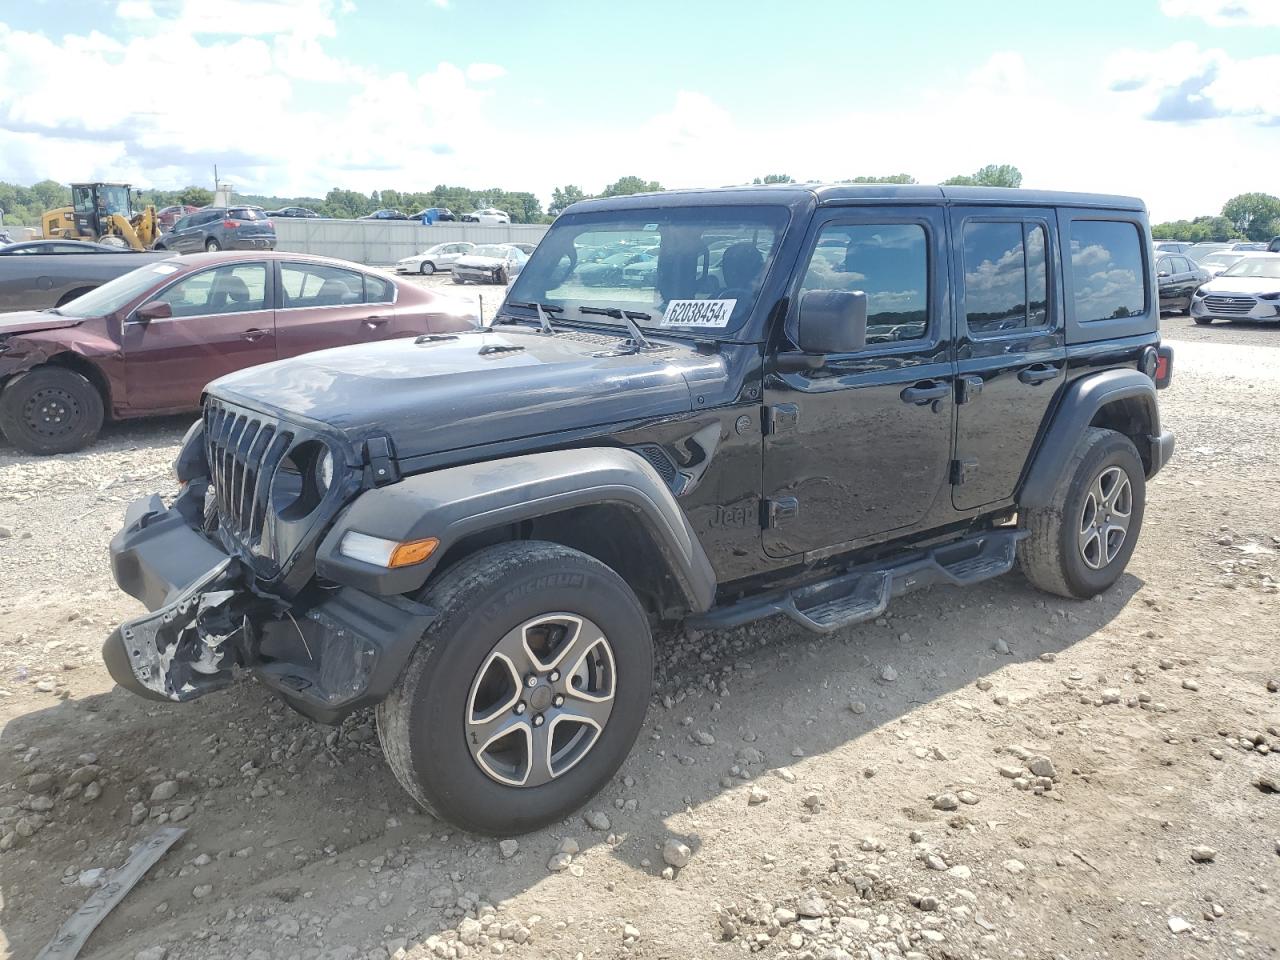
(222, 322)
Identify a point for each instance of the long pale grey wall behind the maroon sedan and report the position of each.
(381, 243)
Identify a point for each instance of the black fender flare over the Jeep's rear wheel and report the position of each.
(1077, 410)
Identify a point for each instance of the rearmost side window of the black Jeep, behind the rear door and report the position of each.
(1108, 277)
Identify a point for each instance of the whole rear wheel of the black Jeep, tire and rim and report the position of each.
(1081, 542)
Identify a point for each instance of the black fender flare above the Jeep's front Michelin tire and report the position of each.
(458, 502)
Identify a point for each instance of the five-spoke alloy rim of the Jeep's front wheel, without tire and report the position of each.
(541, 701)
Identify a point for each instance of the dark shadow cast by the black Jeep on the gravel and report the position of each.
(291, 821)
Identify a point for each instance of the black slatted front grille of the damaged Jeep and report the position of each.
(244, 450)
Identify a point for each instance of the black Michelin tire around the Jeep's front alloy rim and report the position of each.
(459, 789)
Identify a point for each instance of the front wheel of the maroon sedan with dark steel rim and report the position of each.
(51, 410)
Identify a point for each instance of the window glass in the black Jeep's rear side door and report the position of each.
(1005, 278)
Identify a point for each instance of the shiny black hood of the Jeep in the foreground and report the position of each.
(469, 390)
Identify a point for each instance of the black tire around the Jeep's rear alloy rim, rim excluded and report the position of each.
(1118, 451)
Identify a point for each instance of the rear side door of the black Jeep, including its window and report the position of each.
(1011, 345)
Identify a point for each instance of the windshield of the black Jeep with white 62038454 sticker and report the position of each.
(683, 268)
